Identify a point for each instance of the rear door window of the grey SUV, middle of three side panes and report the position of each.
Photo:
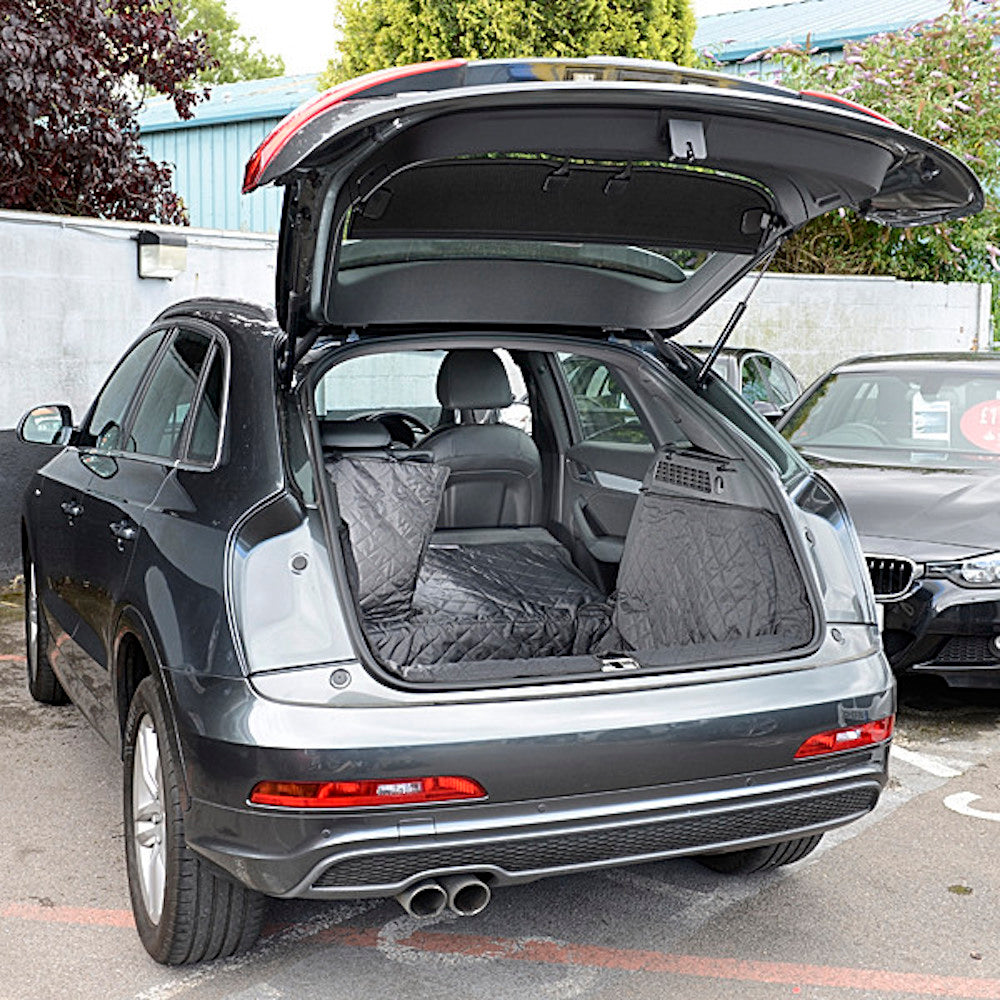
(160, 418)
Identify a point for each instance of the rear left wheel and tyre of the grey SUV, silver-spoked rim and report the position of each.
(184, 912)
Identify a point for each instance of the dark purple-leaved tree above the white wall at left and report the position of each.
(72, 77)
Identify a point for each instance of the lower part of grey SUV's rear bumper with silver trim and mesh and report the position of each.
(357, 857)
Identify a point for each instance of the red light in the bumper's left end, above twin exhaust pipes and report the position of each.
(350, 794)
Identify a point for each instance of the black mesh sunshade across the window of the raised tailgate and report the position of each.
(552, 199)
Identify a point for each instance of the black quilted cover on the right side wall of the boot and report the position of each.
(700, 571)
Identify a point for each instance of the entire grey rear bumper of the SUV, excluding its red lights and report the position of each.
(574, 783)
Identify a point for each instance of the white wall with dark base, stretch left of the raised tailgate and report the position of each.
(71, 301)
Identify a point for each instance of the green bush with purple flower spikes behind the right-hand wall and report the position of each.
(940, 79)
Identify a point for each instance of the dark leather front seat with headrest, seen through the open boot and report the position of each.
(496, 472)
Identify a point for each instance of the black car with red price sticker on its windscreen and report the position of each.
(912, 444)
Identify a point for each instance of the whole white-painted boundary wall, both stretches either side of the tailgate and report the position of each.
(71, 301)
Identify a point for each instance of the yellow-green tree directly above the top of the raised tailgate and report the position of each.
(379, 33)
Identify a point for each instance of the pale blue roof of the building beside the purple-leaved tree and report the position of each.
(233, 102)
